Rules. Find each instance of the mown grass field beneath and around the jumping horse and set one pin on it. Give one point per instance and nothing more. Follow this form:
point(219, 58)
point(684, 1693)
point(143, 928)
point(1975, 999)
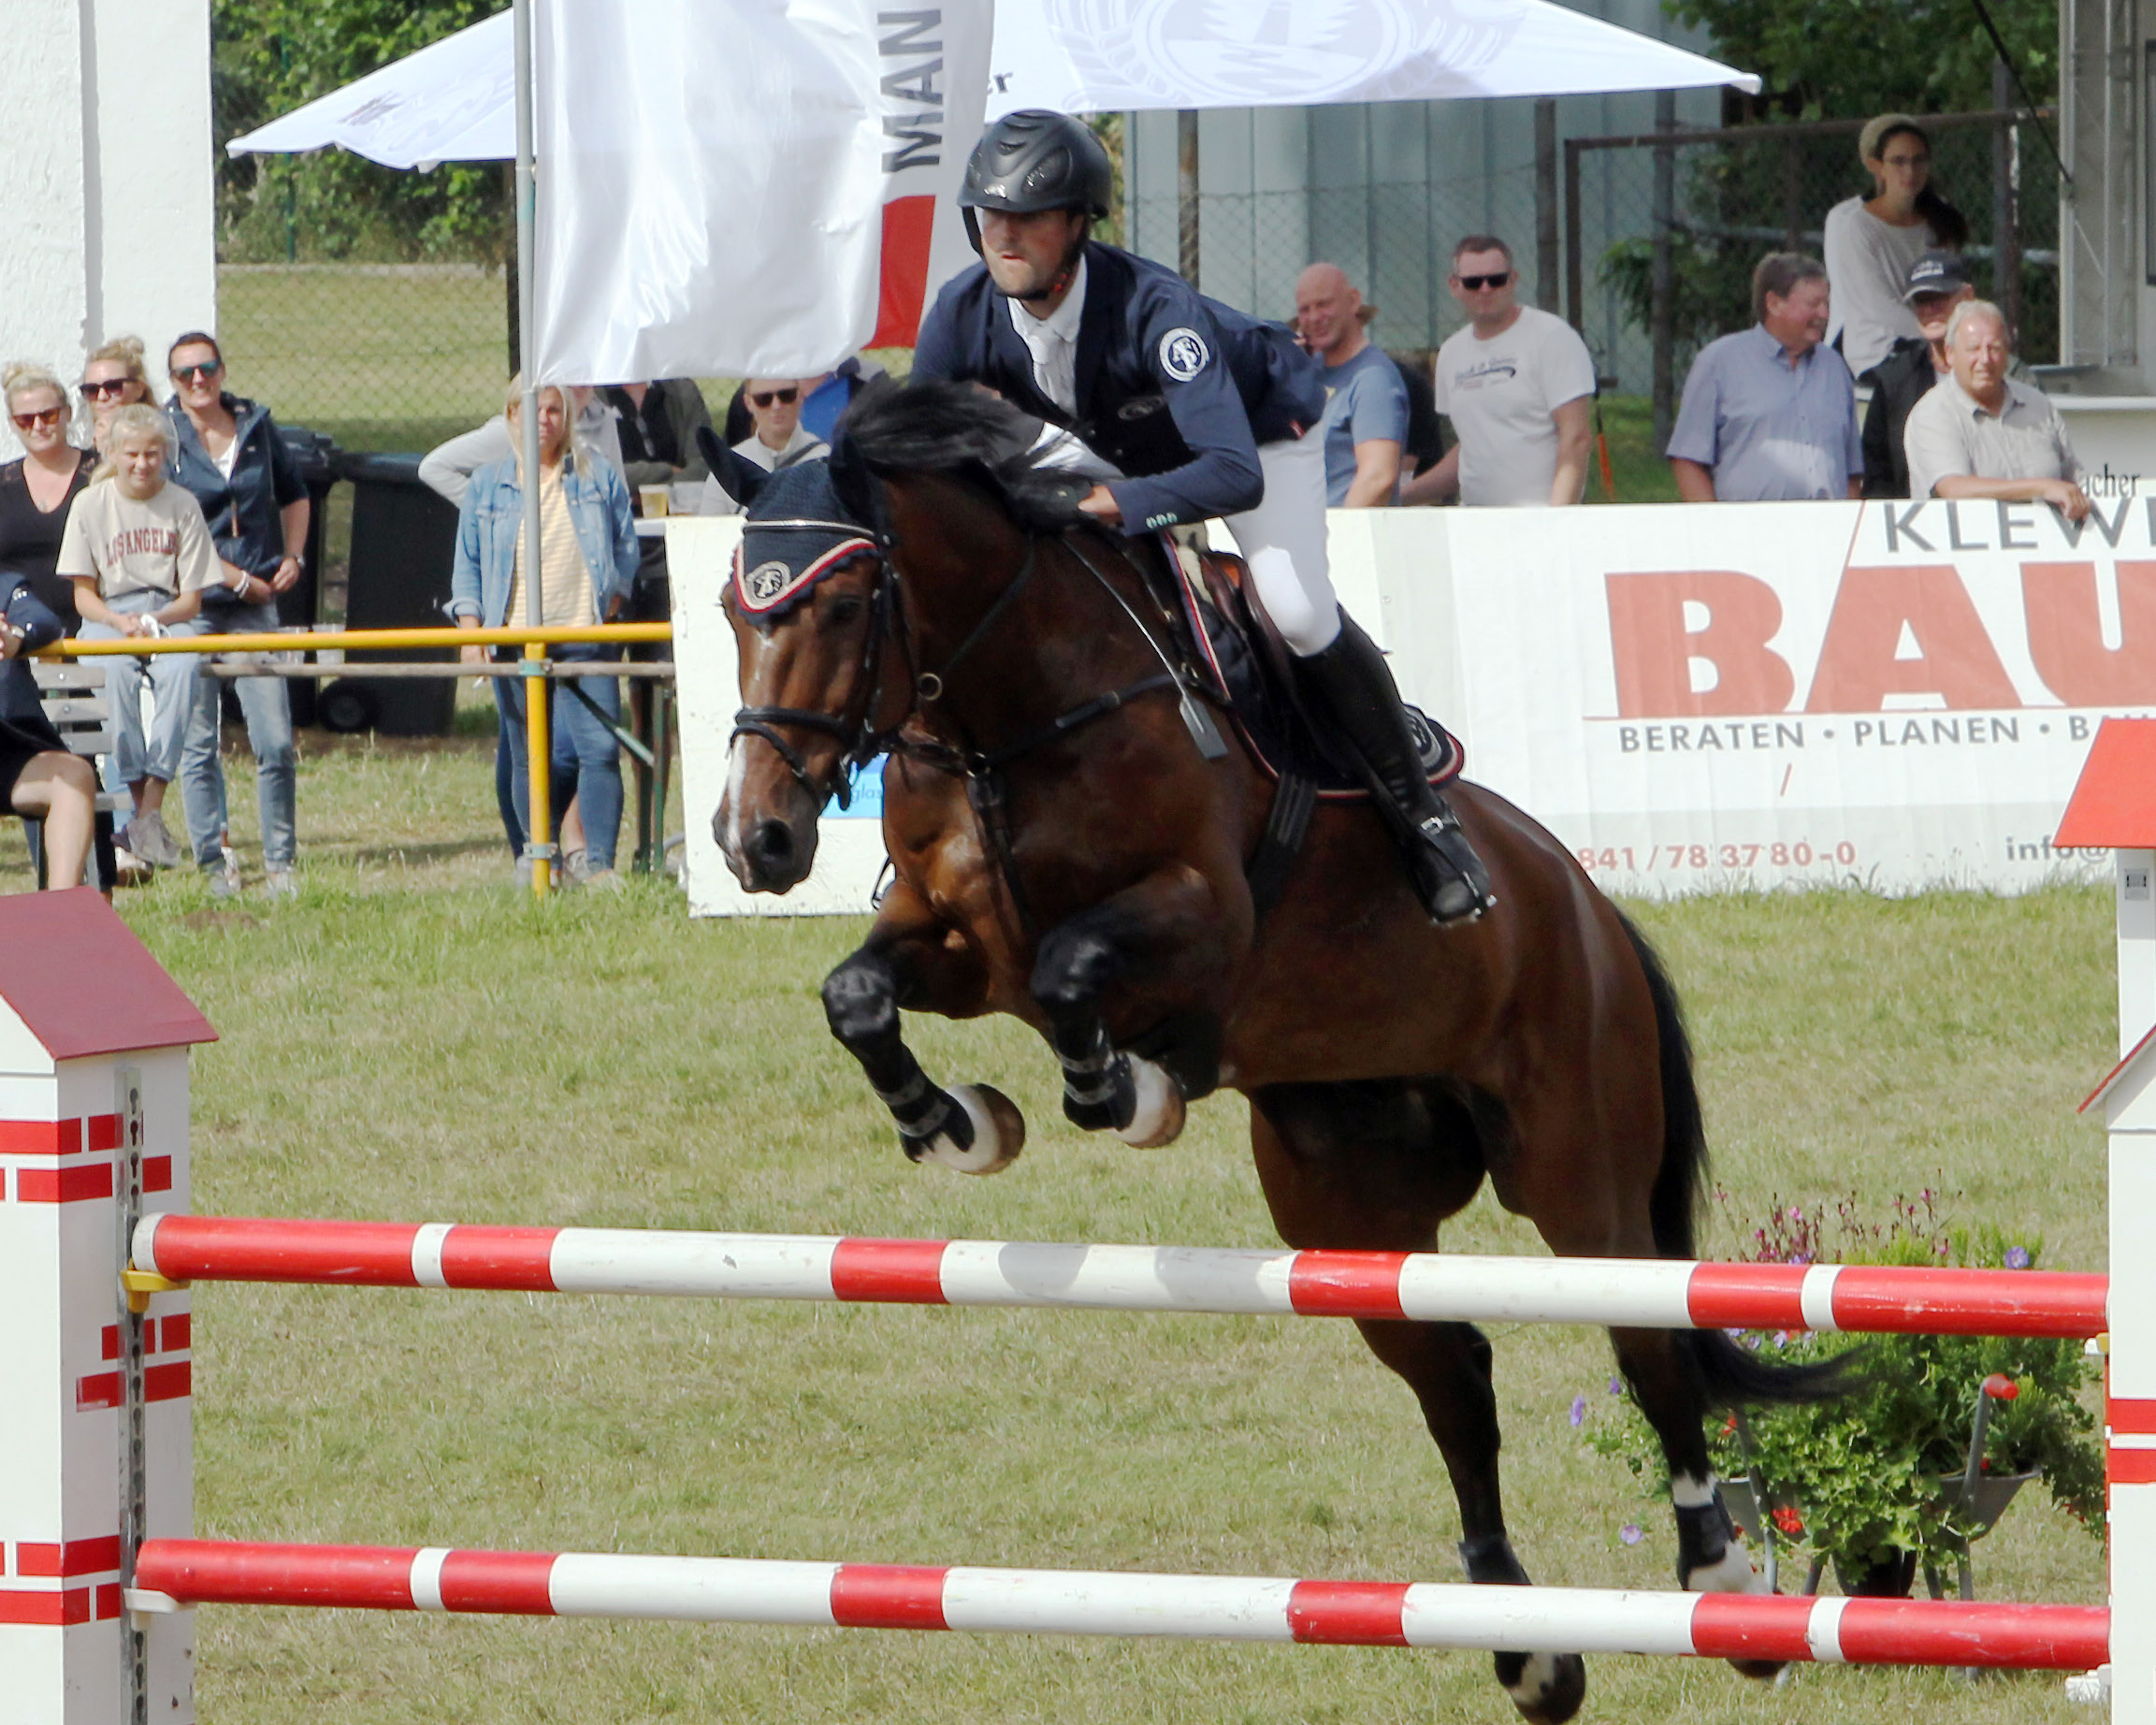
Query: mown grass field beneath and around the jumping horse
point(415, 1040)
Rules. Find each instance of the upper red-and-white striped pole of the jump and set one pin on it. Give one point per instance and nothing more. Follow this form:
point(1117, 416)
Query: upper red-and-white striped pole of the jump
point(999, 1273)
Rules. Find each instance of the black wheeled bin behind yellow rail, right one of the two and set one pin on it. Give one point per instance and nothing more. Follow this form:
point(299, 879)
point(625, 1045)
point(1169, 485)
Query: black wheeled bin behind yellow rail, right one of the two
point(402, 547)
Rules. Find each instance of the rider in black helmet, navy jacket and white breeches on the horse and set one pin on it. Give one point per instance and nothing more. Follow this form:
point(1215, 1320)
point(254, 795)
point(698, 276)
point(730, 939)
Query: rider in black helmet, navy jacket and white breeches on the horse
point(1202, 411)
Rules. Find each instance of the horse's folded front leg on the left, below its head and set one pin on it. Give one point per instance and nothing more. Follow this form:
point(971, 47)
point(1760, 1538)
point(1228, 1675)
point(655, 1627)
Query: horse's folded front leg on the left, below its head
point(913, 961)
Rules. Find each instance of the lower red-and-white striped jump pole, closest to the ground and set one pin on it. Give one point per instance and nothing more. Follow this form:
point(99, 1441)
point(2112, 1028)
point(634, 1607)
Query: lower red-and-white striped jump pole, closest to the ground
point(1338, 1614)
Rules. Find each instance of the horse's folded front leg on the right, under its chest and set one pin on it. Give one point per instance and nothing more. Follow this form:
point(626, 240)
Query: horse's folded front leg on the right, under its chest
point(1165, 935)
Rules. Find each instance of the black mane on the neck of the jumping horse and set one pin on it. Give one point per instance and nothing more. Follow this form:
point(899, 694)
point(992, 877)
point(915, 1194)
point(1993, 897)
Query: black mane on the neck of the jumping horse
point(958, 430)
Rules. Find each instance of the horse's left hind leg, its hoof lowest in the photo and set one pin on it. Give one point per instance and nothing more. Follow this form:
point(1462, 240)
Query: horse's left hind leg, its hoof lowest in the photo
point(1379, 1168)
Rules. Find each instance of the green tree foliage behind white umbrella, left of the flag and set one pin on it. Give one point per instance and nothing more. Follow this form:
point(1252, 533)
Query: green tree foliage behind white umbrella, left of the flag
point(277, 55)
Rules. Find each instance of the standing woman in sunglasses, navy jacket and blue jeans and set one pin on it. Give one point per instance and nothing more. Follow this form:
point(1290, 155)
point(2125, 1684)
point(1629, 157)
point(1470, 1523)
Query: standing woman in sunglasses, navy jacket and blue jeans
point(230, 454)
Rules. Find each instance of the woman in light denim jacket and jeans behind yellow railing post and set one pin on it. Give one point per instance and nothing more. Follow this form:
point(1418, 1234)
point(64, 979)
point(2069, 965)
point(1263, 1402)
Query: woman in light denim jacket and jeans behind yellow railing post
point(590, 564)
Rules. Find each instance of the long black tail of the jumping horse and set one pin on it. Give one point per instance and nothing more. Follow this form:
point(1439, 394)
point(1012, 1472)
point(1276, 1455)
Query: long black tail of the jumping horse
point(1730, 1375)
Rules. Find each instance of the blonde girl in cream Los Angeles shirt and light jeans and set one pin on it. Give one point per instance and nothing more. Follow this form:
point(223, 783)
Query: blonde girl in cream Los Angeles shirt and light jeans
point(139, 553)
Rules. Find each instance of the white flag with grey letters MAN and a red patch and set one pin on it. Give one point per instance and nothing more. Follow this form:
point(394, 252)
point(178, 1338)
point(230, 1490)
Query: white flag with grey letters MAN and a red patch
point(715, 178)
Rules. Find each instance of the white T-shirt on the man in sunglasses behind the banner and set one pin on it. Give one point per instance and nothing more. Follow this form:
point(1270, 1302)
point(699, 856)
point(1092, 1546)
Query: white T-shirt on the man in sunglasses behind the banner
point(1504, 400)
